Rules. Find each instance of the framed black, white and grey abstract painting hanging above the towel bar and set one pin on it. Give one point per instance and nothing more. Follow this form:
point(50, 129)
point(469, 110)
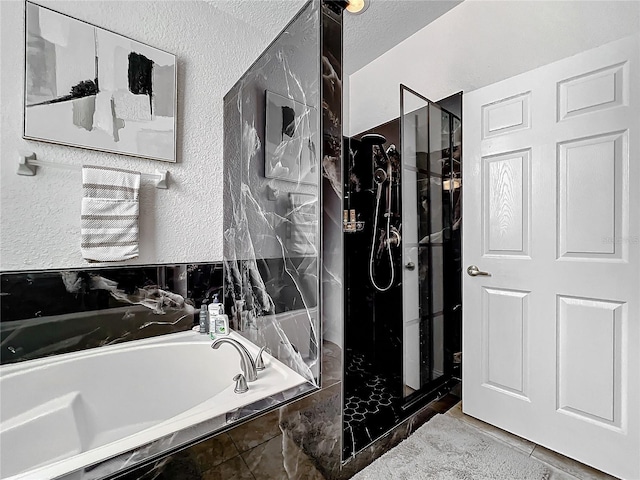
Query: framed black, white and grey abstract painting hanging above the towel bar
point(91, 88)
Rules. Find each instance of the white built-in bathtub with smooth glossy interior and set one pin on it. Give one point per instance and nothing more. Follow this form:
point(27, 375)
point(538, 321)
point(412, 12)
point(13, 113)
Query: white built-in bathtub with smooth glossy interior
point(63, 413)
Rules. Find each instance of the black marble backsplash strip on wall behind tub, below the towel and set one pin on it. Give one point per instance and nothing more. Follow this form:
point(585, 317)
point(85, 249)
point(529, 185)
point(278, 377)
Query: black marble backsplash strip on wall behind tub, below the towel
point(52, 312)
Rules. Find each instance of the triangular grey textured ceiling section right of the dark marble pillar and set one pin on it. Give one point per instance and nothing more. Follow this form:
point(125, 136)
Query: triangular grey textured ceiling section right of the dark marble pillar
point(385, 24)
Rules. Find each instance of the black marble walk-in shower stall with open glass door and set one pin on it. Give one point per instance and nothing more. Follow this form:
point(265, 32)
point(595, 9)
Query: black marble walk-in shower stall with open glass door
point(402, 255)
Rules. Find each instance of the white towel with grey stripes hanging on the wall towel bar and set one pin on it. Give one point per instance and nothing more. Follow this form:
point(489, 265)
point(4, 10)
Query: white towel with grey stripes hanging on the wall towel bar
point(109, 214)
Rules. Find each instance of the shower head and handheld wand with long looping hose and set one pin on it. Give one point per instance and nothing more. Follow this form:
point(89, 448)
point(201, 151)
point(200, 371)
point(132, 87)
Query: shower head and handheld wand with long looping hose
point(380, 177)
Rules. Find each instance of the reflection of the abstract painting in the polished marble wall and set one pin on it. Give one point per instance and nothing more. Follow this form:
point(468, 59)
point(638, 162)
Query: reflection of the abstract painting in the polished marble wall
point(291, 140)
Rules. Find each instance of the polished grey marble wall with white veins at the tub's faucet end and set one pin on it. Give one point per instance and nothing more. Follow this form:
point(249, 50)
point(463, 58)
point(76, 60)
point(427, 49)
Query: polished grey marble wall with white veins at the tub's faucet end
point(271, 193)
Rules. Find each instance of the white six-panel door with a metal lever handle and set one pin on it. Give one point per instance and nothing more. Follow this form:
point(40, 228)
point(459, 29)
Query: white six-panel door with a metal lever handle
point(551, 177)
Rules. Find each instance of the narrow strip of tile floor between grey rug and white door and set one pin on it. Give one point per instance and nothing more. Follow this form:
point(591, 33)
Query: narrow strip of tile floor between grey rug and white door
point(563, 468)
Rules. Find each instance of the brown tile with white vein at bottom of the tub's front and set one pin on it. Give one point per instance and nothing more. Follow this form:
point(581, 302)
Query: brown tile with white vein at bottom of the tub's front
point(280, 458)
